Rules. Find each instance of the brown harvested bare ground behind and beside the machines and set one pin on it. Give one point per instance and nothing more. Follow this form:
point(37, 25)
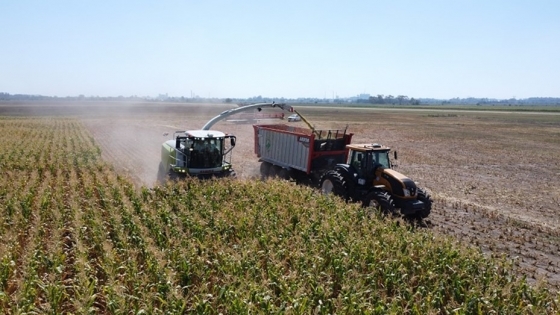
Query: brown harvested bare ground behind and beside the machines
point(494, 177)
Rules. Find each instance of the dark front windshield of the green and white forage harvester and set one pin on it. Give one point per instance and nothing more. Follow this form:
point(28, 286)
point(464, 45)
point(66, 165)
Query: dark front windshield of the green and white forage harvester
point(205, 152)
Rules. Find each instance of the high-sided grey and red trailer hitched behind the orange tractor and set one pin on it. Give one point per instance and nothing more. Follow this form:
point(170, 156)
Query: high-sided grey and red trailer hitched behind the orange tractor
point(299, 153)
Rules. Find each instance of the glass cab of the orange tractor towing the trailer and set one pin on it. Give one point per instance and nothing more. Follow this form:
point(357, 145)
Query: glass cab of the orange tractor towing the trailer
point(367, 159)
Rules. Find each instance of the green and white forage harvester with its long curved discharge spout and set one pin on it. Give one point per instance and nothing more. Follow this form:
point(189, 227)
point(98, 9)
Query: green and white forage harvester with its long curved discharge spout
point(203, 153)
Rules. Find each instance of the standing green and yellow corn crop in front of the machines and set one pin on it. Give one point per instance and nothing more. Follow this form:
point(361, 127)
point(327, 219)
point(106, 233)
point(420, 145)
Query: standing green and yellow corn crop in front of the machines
point(76, 237)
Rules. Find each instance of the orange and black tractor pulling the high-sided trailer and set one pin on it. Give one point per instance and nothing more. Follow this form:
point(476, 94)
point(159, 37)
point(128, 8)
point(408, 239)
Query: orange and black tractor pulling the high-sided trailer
point(368, 177)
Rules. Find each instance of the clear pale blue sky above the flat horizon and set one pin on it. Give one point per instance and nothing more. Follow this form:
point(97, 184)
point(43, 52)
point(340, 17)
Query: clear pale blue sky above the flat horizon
point(441, 49)
